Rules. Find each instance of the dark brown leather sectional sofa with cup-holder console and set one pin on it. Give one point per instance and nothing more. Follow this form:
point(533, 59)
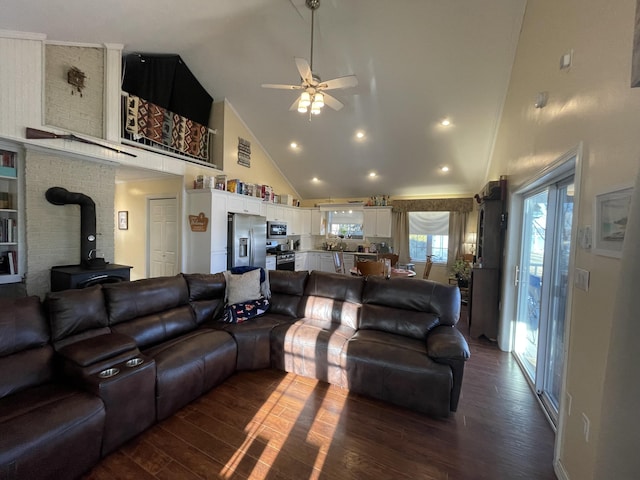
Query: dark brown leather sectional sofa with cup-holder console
point(86, 370)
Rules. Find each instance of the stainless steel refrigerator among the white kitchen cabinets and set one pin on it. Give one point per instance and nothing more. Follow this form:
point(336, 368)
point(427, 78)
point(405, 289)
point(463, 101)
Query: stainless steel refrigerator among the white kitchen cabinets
point(246, 240)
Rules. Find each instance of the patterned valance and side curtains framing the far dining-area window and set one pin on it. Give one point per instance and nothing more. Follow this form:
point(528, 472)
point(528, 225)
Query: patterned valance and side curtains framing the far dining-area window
point(459, 208)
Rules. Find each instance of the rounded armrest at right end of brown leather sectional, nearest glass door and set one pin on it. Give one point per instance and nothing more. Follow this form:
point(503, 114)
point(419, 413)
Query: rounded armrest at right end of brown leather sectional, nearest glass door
point(445, 344)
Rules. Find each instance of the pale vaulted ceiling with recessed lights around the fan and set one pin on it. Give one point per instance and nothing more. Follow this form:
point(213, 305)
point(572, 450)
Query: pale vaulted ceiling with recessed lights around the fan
point(417, 62)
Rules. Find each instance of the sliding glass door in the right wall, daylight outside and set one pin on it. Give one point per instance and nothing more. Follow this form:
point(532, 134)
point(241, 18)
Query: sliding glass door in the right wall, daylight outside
point(542, 288)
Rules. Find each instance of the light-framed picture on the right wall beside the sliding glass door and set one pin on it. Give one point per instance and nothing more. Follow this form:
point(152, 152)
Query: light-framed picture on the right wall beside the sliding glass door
point(611, 215)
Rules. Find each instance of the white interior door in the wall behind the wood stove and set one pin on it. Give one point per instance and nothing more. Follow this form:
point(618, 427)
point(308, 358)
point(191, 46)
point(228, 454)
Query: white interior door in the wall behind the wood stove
point(163, 237)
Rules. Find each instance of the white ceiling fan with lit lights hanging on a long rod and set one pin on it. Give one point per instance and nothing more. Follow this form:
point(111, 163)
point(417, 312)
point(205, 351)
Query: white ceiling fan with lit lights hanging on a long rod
point(313, 98)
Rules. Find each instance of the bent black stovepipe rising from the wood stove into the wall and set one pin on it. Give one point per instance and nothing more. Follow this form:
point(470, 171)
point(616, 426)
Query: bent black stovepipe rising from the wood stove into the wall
point(62, 196)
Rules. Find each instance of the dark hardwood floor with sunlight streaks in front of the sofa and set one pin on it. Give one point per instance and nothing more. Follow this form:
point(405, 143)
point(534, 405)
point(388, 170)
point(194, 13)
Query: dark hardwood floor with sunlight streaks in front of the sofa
point(273, 425)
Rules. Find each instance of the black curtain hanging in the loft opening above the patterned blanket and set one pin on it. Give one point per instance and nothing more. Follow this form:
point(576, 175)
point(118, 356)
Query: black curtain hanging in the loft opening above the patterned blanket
point(166, 81)
